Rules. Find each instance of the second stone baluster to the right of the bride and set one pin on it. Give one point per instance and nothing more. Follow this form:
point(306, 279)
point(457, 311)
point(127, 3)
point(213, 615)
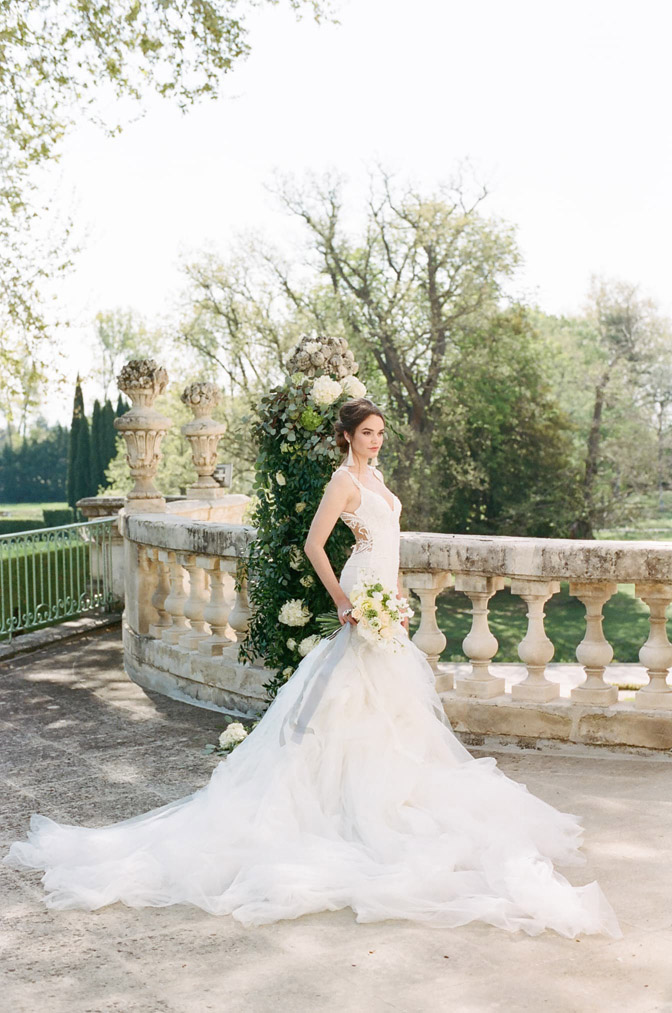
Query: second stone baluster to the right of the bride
point(480, 646)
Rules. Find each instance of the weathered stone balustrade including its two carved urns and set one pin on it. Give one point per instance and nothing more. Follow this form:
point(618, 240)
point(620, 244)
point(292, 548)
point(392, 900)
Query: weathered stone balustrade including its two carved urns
point(187, 607)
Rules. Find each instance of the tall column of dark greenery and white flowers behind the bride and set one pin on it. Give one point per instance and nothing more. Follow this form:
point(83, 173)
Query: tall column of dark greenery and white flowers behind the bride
point(297, 455)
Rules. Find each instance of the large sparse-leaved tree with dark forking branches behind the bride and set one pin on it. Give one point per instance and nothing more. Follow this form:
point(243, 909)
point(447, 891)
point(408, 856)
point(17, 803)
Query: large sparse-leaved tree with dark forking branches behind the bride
point(403, 289)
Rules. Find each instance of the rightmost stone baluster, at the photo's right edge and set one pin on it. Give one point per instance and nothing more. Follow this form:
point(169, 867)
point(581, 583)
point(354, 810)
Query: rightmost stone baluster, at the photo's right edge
point(656, 655)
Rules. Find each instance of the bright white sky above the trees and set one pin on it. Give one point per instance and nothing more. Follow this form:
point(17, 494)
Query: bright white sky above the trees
point(564, 110)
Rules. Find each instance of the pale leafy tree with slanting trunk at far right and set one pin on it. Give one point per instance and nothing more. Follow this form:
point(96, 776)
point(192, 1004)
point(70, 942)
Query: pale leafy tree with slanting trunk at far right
point(603, 367)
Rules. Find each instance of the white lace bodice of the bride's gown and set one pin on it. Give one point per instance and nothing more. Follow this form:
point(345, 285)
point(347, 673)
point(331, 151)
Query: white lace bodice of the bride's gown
point(377, 527)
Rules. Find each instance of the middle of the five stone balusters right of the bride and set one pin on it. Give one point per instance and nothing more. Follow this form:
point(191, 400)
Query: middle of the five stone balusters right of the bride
point(536, 650)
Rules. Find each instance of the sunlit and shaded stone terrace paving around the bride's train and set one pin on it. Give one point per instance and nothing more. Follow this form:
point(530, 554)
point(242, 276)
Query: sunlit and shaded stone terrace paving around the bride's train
point(82, 744)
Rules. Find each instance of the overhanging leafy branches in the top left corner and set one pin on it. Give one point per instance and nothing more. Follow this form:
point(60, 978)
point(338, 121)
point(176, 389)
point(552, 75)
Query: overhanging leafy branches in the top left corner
point(59, 60)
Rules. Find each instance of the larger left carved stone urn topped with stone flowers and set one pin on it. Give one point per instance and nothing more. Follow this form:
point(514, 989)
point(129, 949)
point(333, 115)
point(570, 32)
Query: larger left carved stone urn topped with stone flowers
point(143, 429)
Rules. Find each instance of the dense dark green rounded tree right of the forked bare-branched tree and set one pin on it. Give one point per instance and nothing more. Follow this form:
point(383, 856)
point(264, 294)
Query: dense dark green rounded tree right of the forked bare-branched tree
point(506, 461)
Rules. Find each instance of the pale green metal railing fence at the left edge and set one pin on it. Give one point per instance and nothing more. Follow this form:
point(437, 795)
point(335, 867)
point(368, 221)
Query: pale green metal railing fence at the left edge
point(55, 574)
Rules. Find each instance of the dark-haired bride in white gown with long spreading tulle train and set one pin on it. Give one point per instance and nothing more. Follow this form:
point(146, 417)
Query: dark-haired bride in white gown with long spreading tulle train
point(352, 792)
